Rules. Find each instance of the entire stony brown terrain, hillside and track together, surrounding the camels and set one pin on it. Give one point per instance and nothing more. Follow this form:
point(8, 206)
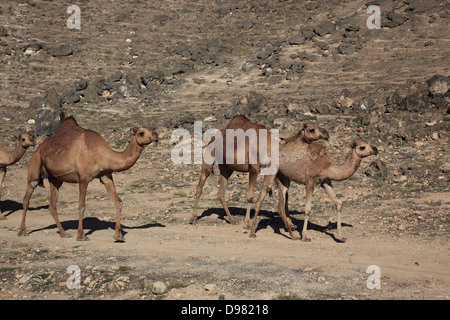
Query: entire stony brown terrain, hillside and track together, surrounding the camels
point(395, 219)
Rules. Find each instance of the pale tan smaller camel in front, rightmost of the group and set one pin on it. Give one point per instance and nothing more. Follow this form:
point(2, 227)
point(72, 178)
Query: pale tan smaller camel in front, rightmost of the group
point(314, 168)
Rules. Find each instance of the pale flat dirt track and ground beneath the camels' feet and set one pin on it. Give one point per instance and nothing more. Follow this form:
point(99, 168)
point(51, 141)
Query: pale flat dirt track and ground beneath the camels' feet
point(214, 259)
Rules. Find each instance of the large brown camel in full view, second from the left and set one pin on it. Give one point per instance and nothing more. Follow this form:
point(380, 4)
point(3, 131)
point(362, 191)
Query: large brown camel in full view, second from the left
point(77, 155)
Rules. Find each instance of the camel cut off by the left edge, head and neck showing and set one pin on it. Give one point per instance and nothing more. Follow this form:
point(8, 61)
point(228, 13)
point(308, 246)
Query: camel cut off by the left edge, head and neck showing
point(8, 158)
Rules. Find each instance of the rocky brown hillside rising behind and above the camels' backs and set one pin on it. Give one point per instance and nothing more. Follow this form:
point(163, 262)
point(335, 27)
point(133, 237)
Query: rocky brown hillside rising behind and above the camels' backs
point(168, 63)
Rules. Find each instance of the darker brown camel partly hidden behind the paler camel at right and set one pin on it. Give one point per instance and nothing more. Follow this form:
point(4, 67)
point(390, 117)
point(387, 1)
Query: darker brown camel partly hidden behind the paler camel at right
point(310, 132)
